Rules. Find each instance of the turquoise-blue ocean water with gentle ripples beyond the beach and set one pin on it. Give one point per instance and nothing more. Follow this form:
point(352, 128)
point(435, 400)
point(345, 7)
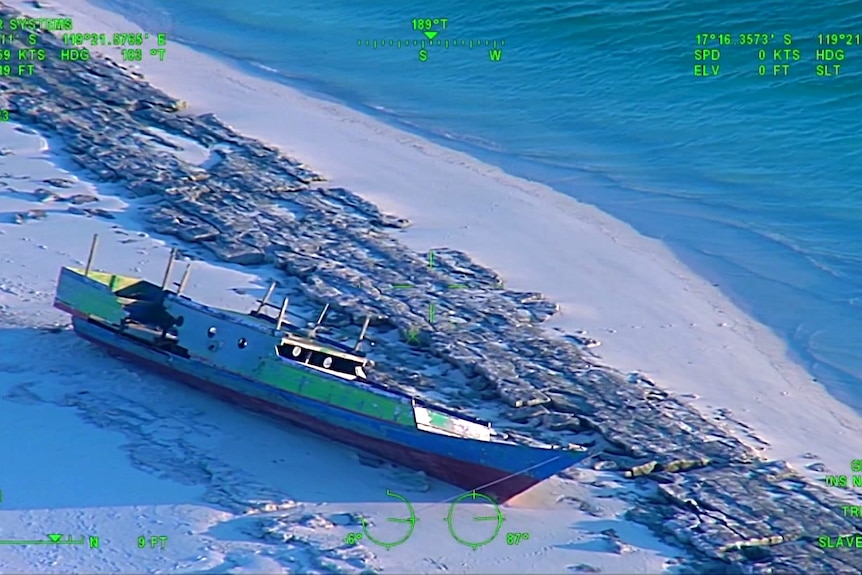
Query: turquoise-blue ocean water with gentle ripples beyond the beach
point(754, 180)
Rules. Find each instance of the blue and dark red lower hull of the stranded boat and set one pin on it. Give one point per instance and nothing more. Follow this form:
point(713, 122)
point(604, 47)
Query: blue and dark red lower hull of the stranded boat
point(434, 454)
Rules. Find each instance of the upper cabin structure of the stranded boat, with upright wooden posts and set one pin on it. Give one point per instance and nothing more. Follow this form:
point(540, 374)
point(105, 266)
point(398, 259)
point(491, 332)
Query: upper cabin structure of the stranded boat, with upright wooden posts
point(172, 323)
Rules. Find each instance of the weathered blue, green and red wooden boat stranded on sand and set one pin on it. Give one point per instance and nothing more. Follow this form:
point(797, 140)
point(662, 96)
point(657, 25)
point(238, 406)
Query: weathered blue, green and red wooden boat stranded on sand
point(260, 360)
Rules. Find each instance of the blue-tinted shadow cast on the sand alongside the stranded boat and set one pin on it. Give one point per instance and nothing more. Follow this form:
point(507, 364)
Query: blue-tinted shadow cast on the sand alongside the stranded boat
point(242, 461)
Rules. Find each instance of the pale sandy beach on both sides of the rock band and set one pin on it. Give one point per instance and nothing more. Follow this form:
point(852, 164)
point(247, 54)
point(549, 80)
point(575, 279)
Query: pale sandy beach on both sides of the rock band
point(651, 314)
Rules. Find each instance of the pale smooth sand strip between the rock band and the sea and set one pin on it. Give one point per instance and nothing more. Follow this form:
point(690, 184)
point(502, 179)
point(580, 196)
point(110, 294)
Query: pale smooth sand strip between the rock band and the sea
point(634, 326)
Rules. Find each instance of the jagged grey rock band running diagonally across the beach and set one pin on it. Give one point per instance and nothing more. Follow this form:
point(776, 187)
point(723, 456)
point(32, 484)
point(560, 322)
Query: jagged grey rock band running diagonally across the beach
point(714, 495)
